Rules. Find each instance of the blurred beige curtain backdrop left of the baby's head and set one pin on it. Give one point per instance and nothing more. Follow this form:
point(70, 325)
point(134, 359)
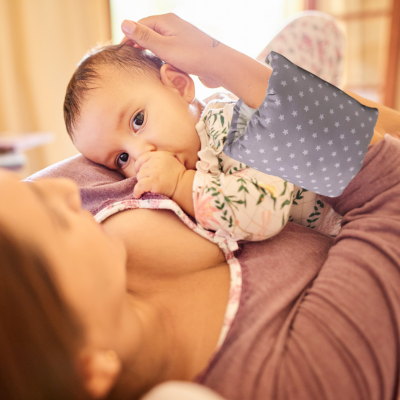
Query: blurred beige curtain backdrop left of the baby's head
point(41, 41)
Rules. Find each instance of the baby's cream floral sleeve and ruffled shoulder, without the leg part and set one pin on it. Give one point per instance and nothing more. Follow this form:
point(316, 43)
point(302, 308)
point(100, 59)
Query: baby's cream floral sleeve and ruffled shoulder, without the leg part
point(229, 197)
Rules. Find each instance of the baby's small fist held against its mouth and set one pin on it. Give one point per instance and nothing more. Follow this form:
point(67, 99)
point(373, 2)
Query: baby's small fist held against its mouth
point(157, 172)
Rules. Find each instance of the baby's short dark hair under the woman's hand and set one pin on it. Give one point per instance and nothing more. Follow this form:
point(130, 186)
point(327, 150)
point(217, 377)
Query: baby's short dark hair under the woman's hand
point(124, 57)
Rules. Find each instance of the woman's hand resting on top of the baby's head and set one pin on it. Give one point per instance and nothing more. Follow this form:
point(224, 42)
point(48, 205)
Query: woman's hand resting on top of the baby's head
point(177, 42)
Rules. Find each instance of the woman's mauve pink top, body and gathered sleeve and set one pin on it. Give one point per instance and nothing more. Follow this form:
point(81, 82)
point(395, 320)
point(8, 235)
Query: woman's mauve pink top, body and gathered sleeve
point(319, 318)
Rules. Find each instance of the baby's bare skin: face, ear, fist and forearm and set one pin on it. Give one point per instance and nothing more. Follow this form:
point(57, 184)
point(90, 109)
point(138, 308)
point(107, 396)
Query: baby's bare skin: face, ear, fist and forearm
point(144, 127)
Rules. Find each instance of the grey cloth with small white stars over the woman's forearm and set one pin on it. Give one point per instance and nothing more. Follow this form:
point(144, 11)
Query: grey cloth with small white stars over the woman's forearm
point(306, 131)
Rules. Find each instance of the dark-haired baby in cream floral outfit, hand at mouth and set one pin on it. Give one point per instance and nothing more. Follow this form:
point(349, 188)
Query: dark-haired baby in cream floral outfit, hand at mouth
point(127, 110)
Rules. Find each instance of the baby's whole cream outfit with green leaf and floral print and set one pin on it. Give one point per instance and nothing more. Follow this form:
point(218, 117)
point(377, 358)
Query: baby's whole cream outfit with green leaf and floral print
point(235, 200)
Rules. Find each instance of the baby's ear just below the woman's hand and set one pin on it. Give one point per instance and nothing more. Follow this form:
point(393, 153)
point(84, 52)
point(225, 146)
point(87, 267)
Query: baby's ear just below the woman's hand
point(178, 81)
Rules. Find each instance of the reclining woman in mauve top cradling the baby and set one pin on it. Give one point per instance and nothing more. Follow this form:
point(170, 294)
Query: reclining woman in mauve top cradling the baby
point(318, 318)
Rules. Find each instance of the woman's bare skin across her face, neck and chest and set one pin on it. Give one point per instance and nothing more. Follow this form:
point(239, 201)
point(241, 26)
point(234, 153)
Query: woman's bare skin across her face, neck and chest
point(124, 294)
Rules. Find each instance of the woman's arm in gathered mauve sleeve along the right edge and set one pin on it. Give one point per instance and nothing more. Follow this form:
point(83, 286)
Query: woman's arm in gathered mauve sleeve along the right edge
point(344, 340)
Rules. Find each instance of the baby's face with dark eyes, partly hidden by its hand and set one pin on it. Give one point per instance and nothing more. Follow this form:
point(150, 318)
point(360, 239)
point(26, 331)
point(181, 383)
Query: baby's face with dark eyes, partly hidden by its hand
point(127, 116)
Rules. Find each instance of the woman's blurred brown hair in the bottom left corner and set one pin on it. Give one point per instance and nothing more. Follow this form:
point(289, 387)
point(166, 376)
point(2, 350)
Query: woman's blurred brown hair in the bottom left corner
point(39, 335)
